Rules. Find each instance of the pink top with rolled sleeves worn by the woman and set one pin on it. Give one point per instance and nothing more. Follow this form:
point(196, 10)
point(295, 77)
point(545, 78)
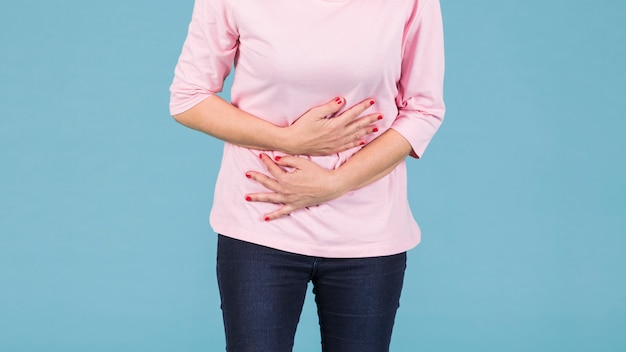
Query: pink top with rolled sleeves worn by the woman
point(292, 55)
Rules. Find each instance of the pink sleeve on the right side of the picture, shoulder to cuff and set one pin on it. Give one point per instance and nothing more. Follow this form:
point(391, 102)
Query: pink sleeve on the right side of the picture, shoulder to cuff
point(420, 90)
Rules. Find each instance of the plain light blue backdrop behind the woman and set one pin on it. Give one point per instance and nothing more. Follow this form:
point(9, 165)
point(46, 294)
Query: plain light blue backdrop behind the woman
point(104, 238)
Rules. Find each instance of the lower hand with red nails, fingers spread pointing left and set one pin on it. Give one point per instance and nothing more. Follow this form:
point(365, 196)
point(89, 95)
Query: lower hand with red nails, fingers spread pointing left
point(305, 184)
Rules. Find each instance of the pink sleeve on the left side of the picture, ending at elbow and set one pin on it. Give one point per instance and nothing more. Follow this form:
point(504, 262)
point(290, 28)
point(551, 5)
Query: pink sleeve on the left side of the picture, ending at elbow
point(207, 55)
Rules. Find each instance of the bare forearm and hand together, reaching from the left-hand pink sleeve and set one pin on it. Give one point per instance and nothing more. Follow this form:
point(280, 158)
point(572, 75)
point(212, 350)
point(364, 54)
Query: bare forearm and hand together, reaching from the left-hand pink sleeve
point(312, 134)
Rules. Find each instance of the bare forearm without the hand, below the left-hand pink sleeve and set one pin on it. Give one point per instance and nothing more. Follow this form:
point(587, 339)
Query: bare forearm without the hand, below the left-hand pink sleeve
point(218, 118)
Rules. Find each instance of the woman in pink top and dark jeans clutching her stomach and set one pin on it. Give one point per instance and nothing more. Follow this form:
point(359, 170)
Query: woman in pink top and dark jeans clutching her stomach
point(312, 188)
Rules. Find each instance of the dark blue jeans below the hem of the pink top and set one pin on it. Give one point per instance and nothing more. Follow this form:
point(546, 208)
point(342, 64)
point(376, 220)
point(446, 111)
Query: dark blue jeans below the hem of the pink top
point(263, 289)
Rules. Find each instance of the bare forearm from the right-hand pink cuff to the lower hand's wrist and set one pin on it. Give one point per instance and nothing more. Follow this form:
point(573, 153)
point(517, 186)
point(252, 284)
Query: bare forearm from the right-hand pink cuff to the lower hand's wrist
point(373, 162)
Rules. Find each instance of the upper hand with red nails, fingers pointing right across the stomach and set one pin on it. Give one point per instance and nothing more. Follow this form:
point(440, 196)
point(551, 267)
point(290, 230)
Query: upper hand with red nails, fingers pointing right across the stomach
point(316, 133)
